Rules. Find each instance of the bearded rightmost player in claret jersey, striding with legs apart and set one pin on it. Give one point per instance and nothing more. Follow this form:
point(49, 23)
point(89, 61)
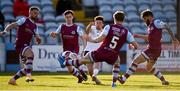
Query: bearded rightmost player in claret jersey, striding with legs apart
point(153, 50)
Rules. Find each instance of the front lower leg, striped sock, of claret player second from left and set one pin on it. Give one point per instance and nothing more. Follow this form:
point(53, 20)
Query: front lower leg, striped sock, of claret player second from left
point(72, 70)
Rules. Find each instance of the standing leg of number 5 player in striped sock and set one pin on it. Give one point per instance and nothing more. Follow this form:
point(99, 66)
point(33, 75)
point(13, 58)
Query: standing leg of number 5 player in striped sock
point(115, 72)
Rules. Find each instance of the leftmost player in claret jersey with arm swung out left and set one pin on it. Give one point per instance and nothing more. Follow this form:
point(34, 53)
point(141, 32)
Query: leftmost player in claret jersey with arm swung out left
point(26, 30)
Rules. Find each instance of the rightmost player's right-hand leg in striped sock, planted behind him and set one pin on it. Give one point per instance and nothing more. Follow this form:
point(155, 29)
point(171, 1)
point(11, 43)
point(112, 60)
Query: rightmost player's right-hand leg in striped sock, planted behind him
point(150, 68)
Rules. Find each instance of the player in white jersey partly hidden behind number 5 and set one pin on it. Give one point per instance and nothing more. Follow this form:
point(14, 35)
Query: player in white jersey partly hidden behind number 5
point(93, 30)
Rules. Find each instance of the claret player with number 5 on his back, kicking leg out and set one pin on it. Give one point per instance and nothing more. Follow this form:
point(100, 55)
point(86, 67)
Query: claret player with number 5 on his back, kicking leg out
point(112, 38)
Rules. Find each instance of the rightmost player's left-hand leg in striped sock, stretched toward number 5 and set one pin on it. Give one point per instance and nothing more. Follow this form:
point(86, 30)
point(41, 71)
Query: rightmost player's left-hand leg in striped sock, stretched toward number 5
point(139, 59)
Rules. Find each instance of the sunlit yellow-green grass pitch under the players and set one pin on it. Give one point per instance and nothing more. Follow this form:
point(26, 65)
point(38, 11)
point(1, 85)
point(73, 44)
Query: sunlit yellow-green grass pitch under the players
point(65, 82)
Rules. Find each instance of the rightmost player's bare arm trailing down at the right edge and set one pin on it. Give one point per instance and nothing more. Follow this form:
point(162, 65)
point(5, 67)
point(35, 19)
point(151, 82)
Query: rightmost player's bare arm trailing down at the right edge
point(174, 40)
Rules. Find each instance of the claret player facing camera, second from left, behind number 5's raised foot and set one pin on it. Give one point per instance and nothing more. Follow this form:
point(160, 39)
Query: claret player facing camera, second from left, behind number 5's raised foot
point(70, 34)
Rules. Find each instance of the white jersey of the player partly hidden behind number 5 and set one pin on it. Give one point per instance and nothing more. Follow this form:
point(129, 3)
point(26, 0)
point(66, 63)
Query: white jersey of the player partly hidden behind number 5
point(93, 34)
